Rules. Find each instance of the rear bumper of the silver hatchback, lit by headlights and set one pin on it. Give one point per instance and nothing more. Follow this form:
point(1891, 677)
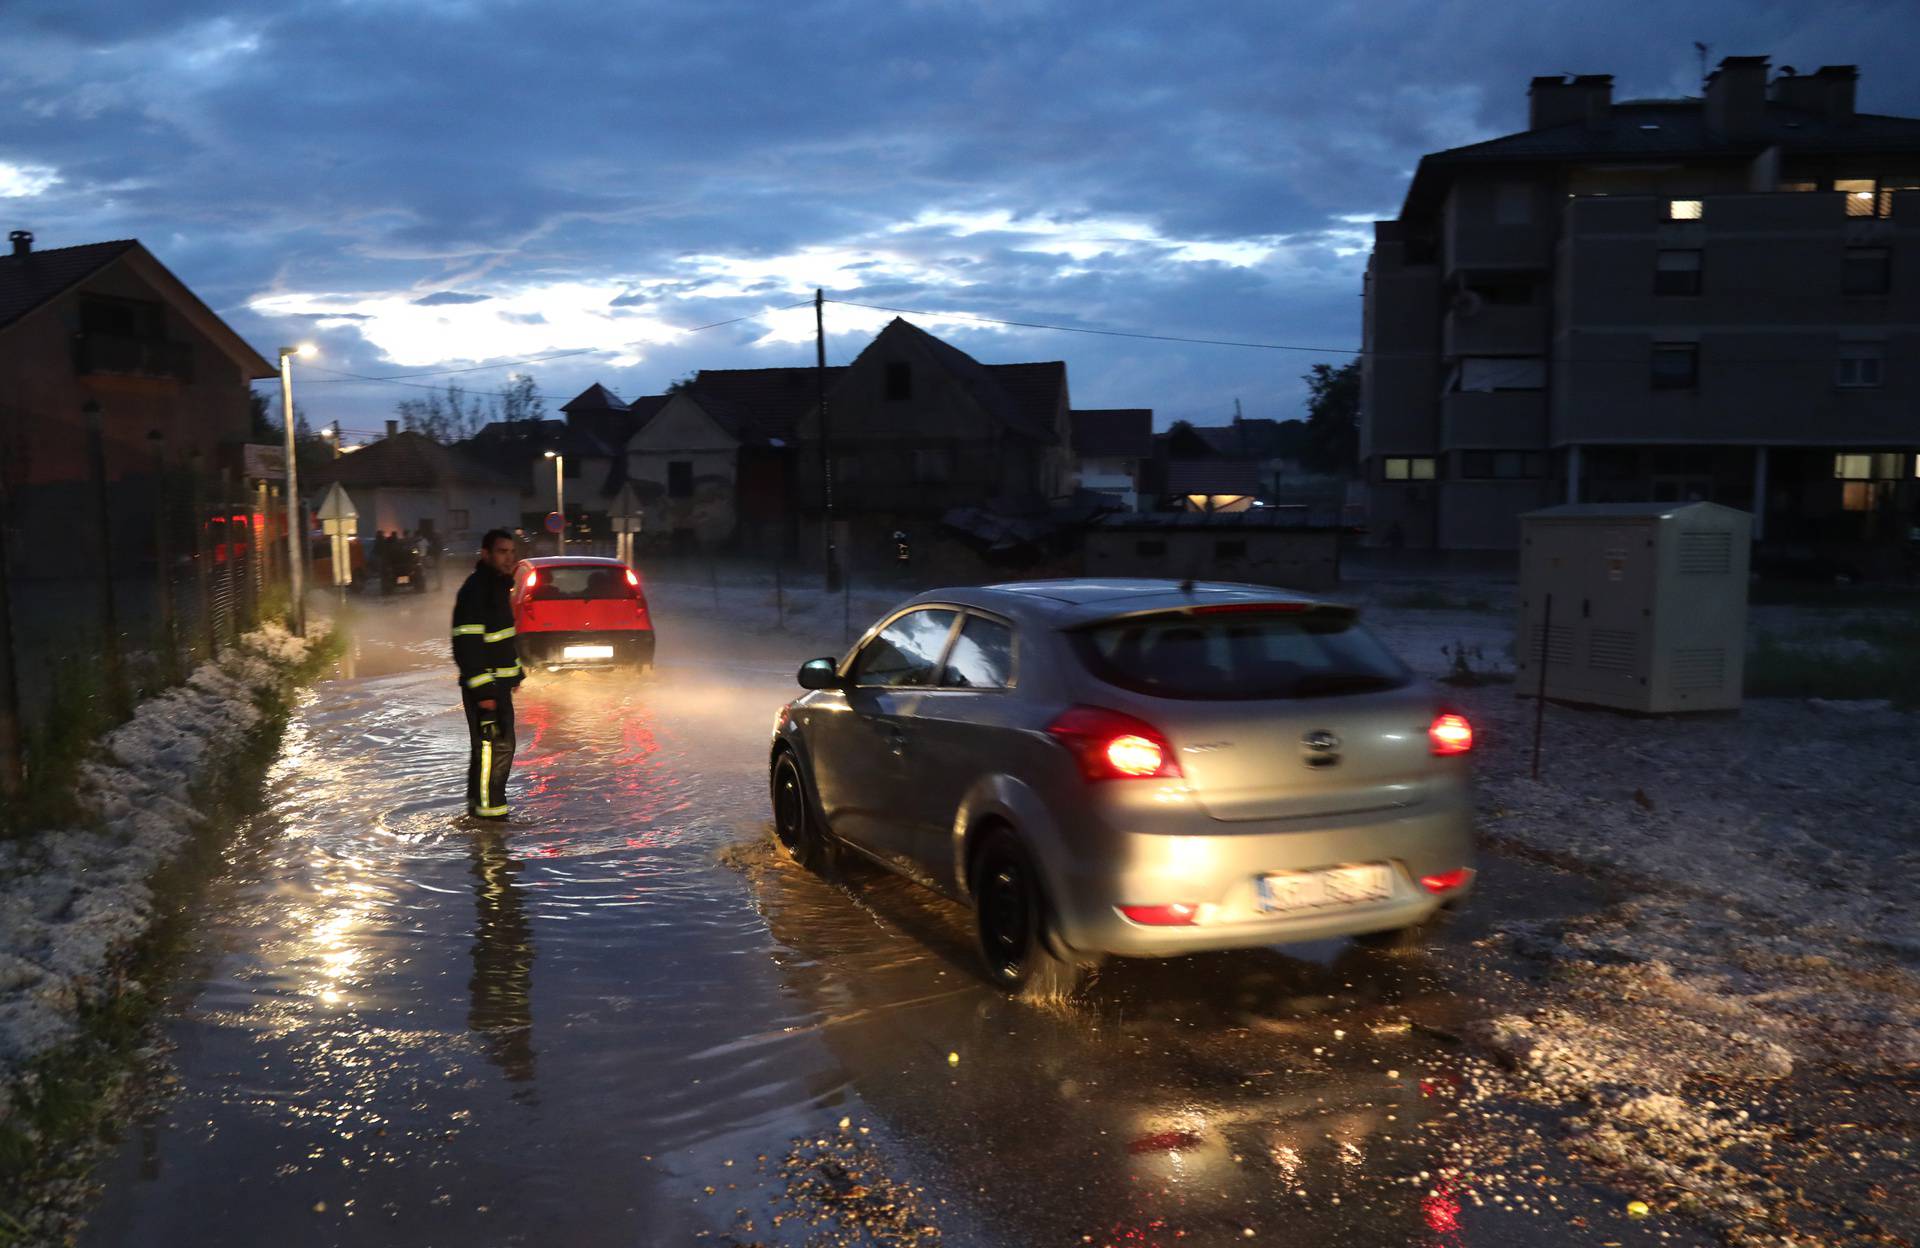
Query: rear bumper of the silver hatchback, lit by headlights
point(1220, 871)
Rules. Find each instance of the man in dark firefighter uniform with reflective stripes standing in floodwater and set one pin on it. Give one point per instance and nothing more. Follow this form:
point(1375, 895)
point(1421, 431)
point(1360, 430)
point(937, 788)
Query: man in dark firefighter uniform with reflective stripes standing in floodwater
point(491, 669)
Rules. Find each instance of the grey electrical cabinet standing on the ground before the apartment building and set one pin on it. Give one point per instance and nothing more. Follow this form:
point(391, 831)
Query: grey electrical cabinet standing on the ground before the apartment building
point(1648, 606)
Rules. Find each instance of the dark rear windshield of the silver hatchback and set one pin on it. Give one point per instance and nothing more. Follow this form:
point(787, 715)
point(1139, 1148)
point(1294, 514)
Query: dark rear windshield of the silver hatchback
point(1239, 658)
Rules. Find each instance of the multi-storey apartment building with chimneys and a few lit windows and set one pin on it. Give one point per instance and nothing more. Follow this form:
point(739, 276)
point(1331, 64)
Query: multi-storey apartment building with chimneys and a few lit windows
point(1650, 300)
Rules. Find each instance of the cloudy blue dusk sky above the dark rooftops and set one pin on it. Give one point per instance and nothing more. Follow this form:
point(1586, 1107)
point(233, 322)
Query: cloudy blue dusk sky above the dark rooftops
point(427, 185)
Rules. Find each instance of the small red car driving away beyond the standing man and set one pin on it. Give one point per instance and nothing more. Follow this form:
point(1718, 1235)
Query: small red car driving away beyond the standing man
point(581, 613)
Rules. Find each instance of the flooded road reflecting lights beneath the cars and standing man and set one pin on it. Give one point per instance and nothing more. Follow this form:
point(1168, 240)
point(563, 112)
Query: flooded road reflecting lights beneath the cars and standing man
point(625, 1022)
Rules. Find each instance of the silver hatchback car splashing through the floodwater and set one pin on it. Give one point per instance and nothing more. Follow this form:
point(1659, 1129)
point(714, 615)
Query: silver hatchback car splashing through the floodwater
point(1132, 767)
